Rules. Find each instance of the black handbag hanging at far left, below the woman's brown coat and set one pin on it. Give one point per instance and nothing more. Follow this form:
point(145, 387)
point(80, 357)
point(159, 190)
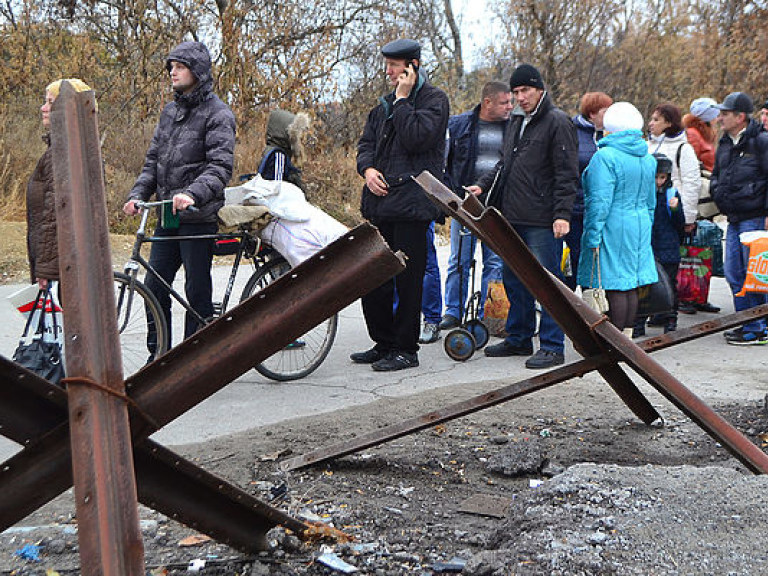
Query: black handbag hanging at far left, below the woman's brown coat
point(39, 356)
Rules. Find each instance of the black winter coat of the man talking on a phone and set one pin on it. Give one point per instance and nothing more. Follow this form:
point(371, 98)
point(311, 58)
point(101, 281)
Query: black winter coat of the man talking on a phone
point(401, 140)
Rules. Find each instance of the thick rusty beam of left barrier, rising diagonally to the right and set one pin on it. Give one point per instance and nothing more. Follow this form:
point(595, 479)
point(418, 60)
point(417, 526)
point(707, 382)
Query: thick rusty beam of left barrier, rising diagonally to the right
point(250, 333)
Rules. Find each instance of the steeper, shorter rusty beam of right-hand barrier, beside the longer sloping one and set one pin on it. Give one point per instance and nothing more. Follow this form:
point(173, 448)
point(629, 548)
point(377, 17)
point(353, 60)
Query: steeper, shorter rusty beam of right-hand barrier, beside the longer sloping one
point(493, 229)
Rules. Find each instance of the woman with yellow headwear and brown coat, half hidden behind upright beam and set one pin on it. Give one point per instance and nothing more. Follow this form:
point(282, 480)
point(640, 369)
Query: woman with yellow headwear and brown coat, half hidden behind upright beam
point(42, 244)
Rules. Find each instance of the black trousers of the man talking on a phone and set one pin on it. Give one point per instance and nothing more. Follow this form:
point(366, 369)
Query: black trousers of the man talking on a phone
point(398, 329)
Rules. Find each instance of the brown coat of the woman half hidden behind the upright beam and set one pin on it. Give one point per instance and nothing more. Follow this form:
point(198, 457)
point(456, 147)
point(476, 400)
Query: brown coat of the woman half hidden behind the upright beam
point(42, 243)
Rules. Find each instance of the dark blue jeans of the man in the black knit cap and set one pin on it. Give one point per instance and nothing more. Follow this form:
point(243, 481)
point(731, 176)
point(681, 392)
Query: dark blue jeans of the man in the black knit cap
point(521, 320)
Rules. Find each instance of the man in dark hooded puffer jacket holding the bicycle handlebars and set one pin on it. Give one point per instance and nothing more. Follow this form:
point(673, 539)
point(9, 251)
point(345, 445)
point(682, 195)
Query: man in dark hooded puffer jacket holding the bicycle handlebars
point(189, 162)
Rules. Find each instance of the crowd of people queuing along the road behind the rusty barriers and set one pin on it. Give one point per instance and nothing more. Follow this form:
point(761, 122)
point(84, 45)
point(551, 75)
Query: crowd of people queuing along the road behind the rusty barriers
point(619, 198)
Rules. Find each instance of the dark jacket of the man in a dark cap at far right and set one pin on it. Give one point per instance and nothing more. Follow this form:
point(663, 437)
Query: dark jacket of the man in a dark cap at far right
point(740, 177)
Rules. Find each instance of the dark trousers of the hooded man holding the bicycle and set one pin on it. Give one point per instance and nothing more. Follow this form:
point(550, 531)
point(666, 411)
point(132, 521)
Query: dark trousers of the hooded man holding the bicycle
point(196, 256)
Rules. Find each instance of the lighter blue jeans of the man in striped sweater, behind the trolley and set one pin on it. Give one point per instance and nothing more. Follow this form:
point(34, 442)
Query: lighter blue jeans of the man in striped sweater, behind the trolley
point(457, 283)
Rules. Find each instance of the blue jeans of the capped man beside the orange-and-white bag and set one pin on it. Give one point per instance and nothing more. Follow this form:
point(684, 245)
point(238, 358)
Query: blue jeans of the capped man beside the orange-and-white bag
point(736, 260)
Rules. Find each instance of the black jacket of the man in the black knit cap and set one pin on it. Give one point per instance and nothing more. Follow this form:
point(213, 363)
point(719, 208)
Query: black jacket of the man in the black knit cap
point(535, 182)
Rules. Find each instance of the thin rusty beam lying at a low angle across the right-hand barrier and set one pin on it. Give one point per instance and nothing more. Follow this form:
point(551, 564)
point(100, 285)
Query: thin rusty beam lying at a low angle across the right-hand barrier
point(506, 393)
